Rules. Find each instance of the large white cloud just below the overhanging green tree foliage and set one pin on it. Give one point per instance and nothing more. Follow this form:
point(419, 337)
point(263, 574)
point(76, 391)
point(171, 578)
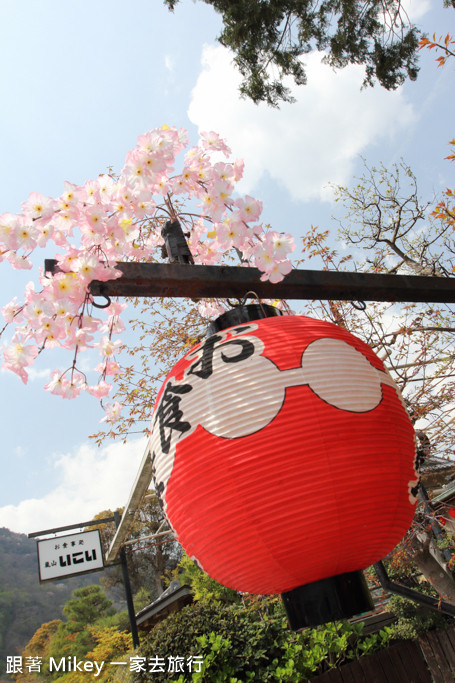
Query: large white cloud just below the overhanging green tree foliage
point(304, 145)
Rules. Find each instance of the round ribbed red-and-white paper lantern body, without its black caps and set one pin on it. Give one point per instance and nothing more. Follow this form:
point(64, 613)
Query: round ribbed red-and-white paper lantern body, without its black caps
point(283, 454)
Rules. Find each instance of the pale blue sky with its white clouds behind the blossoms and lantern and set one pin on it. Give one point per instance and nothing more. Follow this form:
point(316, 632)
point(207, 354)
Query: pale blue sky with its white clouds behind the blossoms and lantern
point(79, 82)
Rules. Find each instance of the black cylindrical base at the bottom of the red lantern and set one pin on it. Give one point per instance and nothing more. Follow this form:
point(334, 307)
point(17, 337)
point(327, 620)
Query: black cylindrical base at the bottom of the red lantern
point(338, 597)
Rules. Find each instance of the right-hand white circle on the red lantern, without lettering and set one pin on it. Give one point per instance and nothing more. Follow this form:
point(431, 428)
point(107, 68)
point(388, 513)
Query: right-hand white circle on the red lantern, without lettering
point(342, 376)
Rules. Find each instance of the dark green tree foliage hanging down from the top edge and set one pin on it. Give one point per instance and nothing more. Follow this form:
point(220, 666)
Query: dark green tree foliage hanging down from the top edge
point(268, 39)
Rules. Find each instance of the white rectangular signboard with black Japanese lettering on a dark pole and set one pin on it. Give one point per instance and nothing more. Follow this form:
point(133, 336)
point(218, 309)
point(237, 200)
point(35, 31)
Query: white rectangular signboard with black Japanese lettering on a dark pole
point(69, 555)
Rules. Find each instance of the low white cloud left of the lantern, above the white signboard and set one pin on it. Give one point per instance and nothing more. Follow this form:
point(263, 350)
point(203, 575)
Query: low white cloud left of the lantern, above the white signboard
point(91, 480)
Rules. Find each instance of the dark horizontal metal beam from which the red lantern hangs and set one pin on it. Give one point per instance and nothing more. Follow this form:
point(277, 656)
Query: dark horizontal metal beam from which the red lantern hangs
point(195, 281)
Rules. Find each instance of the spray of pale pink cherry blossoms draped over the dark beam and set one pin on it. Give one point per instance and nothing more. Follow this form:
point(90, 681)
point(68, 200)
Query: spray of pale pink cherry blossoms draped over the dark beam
point(112, 219)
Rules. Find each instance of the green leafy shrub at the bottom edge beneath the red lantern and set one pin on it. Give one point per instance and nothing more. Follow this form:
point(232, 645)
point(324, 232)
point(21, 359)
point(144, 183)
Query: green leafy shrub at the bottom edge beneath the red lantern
point(250, 641)
